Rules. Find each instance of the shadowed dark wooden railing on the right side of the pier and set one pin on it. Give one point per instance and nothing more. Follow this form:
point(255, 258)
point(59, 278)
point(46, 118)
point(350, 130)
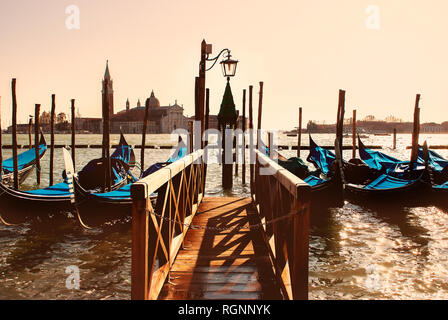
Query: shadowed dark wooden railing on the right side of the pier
point(283, 204)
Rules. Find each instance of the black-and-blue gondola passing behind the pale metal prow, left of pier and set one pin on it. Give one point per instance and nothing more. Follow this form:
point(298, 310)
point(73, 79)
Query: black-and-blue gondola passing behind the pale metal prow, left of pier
point(17, 204)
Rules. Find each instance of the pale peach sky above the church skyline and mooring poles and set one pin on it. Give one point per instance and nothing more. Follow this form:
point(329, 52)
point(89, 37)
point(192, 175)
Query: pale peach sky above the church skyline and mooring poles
point(382, 52)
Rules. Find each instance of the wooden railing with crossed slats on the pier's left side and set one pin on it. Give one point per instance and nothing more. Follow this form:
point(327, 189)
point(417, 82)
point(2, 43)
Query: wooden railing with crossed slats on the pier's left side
point(160, 221)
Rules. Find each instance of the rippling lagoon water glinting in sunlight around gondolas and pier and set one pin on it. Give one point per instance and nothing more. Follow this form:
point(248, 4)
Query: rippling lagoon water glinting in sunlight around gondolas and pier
point(355, 252)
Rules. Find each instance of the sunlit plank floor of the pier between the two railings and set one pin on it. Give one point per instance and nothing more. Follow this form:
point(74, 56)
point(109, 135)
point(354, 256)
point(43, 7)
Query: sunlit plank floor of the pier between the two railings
point(226, 260)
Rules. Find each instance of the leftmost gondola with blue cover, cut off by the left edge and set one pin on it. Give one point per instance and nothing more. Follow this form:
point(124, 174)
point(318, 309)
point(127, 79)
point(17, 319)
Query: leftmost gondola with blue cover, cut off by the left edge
point(25, 163)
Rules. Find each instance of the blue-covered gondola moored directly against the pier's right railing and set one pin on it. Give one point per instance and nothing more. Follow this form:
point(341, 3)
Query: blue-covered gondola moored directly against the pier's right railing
point(326, 183)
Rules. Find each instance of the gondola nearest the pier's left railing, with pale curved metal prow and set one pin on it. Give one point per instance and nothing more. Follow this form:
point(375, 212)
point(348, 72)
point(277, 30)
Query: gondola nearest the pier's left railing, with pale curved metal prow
point(116, 203)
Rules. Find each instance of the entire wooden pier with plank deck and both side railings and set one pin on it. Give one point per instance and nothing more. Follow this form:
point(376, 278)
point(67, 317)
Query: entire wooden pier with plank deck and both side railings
point(187, 246)
